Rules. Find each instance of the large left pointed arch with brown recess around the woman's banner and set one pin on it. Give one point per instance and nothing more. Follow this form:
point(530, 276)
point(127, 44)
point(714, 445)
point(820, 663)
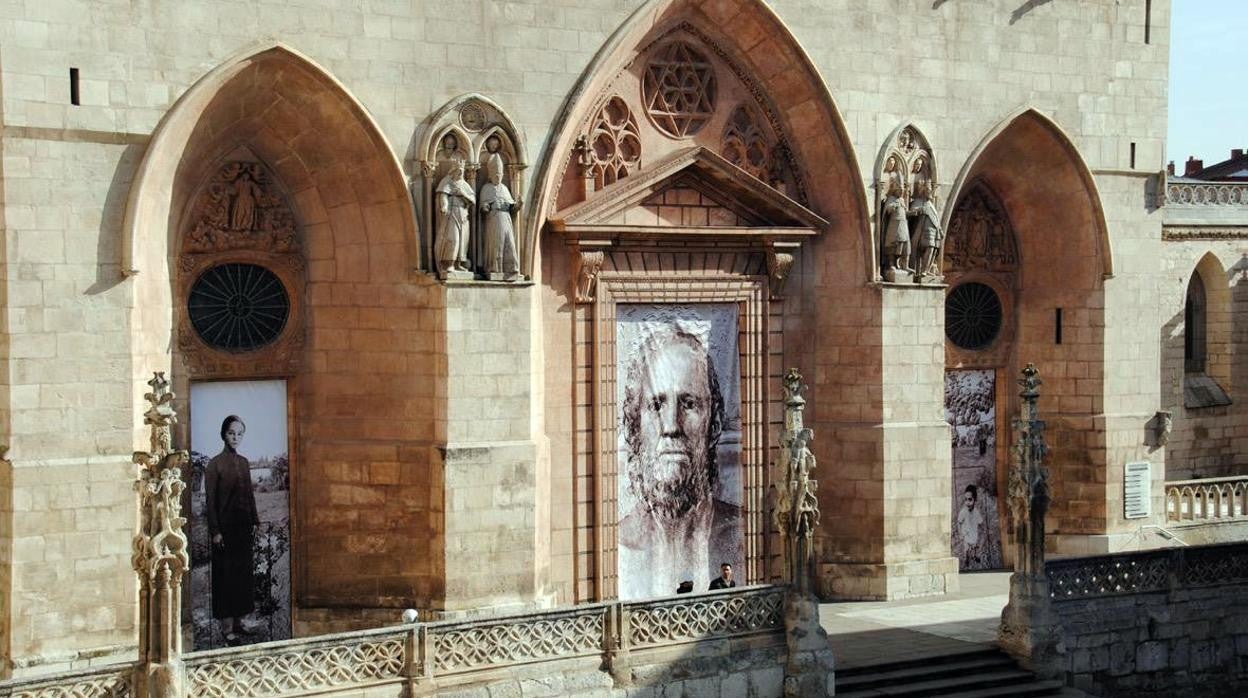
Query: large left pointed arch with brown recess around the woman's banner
point(356, 229)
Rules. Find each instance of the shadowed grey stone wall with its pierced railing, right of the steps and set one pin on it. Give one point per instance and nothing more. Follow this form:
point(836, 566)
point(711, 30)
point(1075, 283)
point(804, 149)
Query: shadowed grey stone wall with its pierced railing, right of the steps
point(1154, 625)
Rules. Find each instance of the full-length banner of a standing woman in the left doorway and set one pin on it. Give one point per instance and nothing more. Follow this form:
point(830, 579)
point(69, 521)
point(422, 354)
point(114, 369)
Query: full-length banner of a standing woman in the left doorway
point(240, 514)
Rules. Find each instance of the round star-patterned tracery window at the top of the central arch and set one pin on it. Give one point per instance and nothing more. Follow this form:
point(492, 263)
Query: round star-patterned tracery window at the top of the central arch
point(680, 89)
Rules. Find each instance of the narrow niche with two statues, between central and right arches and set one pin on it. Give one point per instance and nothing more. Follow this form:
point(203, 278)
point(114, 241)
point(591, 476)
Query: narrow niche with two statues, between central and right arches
point(909, 235)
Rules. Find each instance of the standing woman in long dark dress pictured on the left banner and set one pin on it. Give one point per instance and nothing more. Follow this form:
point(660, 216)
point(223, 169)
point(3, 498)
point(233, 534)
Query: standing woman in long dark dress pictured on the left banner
point(233, 520)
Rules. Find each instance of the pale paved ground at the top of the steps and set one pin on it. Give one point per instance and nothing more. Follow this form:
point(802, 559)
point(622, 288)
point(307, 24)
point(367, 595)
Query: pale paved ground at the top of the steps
point(865, 634)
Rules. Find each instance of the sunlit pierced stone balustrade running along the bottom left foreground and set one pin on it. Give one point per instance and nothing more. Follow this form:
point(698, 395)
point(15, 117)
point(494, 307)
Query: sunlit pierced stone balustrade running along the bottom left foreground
point(386, 660)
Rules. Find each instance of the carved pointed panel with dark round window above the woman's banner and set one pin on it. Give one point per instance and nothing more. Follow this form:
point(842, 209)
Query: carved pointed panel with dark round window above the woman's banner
point(240, 277)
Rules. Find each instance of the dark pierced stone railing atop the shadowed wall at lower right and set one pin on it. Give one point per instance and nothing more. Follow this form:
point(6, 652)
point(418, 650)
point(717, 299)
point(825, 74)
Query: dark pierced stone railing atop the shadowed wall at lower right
point(1148, 573)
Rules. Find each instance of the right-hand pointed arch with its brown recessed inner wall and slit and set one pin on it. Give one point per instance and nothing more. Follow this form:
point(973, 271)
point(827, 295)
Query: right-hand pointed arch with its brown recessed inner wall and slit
point(1059, 300)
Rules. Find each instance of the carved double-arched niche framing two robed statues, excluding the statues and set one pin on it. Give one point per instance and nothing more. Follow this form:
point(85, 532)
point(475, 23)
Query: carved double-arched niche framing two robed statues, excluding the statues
point(470, 129)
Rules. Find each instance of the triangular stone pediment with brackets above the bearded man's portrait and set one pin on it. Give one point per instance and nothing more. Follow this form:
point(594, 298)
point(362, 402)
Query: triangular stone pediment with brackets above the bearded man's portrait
point(695, 199)
